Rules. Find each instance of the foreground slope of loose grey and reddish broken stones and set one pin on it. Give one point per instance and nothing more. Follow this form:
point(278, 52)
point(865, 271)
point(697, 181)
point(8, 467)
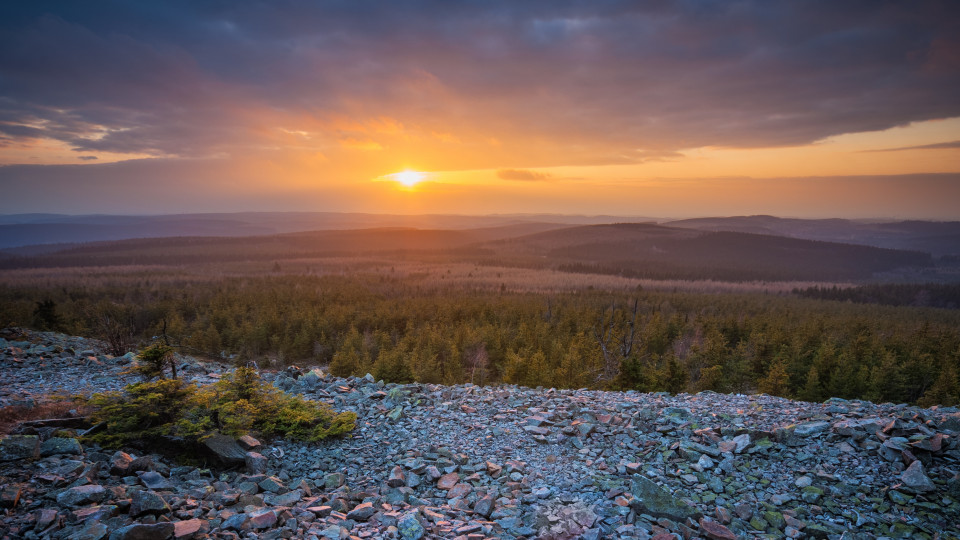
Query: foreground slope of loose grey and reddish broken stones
point(471, 462)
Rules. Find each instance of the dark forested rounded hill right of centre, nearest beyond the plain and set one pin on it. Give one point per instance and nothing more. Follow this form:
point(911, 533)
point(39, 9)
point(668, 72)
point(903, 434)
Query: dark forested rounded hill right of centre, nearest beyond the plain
point(660, 252)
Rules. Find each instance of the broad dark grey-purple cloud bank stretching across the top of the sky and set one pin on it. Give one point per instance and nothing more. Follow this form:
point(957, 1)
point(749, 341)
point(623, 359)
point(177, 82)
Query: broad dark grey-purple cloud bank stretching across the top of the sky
point(597, 82)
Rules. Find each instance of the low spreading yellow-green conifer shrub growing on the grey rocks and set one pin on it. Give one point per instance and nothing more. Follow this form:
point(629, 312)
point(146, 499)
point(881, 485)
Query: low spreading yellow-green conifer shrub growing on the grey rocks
point(240, 403)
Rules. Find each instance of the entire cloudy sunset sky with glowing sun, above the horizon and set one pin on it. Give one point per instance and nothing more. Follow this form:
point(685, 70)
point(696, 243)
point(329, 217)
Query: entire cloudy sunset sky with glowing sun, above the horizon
point(661, 109)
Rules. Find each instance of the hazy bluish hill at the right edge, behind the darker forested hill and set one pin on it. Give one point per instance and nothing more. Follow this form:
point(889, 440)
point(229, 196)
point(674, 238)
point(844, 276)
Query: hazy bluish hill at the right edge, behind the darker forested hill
point(936, 238)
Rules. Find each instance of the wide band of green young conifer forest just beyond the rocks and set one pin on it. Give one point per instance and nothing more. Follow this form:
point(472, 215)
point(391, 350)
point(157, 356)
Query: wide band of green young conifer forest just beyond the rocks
point(646, 340)
